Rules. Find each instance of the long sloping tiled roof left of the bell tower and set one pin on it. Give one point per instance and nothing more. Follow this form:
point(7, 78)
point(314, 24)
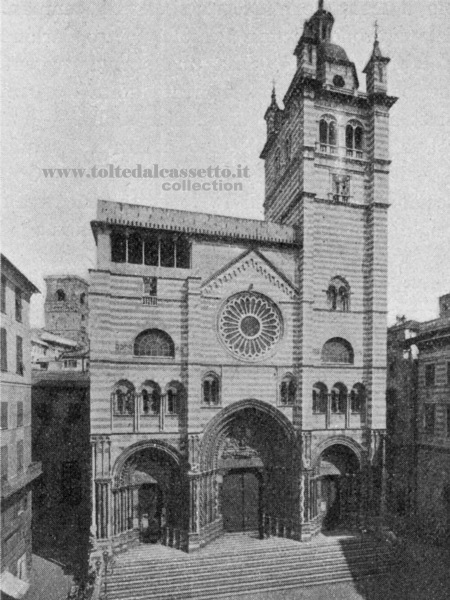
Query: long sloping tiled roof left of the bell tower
point(152, 217)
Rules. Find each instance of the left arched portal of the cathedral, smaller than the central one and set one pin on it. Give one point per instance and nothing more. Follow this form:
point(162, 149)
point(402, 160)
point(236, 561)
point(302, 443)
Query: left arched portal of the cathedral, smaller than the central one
point(150, 492)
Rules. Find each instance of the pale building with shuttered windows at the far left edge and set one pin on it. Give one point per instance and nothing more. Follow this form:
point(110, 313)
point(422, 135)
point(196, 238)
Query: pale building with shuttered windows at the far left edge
point(18, 470)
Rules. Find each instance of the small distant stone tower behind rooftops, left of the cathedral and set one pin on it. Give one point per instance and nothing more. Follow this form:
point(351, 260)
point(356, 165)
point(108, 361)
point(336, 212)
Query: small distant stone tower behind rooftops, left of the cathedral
point(66, 306)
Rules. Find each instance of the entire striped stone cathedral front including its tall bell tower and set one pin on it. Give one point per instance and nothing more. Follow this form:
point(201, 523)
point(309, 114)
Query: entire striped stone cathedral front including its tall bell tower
point(238, 367)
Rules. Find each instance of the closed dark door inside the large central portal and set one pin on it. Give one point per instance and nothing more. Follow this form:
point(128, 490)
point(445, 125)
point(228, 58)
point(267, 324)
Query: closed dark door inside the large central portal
point(241, 500)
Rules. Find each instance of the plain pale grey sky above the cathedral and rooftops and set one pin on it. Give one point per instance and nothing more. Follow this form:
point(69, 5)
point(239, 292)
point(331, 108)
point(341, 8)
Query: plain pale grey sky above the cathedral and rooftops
point(185, 83)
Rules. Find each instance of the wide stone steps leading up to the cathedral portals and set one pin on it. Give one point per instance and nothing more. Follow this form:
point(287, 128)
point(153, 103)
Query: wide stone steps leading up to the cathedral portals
point(238, 564)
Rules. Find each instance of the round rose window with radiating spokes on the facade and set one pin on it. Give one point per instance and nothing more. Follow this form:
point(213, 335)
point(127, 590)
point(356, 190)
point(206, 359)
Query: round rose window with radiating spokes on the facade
point(250, 325)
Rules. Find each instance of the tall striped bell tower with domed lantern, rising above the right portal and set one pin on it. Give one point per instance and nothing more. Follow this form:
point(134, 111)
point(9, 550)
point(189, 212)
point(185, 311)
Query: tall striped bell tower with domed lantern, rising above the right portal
point(326, 173)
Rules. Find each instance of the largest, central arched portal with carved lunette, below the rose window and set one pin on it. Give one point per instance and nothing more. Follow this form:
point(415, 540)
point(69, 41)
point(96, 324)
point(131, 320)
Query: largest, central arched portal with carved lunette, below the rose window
point(249, 454)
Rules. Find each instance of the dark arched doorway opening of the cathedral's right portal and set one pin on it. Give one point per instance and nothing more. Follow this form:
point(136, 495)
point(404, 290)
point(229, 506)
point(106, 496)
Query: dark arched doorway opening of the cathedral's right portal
point(339, 486)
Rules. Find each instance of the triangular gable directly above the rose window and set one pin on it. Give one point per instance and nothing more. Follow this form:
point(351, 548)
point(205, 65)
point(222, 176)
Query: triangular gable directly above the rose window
point(250, 269)
